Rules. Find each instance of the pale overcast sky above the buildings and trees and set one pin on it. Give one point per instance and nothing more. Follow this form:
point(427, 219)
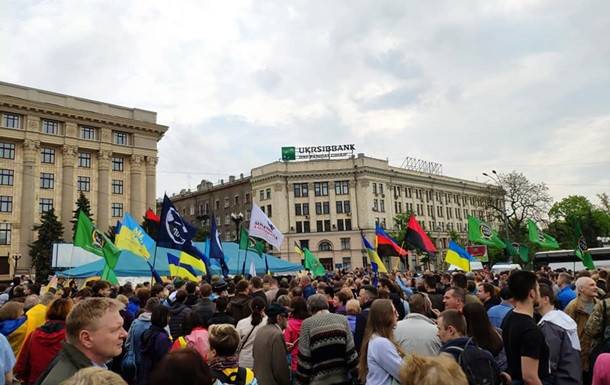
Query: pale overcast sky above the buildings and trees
point(474, 85)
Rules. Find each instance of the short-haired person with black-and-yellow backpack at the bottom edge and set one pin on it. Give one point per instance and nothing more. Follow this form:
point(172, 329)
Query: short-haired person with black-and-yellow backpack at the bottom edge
point(224, 340)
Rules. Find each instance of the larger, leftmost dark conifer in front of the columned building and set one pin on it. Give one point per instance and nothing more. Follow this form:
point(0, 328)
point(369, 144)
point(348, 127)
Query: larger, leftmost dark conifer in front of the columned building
point(50, 231)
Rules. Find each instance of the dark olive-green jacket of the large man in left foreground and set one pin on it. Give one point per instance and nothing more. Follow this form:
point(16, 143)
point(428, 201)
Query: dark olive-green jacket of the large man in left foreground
point(69, 361)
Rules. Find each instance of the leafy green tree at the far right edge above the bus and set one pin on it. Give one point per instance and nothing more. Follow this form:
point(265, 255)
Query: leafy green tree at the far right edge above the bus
point(594, 221)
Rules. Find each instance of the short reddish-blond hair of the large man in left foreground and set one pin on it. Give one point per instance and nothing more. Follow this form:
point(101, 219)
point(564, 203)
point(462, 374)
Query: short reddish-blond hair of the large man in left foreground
point(86, 315)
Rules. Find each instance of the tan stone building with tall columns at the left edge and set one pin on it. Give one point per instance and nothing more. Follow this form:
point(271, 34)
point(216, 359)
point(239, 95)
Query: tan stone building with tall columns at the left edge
point(54, 146)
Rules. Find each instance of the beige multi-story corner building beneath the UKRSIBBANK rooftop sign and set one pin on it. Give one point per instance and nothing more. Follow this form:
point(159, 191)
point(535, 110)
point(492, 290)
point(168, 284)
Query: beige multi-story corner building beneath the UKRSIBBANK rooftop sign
point(326, 205)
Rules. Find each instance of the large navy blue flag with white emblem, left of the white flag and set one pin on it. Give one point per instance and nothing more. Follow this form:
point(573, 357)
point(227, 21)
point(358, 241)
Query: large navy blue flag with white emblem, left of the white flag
point(175, 233)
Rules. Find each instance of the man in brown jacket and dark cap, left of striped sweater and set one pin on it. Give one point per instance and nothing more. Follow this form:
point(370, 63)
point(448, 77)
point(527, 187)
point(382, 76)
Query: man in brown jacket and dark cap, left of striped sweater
point(269, 351)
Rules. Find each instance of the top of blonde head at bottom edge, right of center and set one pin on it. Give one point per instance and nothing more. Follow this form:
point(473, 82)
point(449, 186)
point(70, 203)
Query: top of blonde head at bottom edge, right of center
point(431, 370)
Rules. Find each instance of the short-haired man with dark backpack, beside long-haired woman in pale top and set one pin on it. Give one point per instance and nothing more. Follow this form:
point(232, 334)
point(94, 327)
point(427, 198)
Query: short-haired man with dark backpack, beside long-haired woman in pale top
point(478, 364)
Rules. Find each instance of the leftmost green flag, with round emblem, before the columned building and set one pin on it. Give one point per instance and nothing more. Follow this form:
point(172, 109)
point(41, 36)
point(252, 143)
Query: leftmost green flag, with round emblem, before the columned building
point(93, 240)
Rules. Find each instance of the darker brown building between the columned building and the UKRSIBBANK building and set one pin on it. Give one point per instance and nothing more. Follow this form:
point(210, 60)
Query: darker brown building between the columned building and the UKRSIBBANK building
point(230, 202)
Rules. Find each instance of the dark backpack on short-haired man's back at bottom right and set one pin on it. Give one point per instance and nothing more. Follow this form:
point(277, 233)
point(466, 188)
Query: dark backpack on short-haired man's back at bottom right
point(478, 365)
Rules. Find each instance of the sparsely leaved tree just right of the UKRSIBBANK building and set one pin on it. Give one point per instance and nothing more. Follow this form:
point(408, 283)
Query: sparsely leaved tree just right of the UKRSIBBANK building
point(518, 200)
